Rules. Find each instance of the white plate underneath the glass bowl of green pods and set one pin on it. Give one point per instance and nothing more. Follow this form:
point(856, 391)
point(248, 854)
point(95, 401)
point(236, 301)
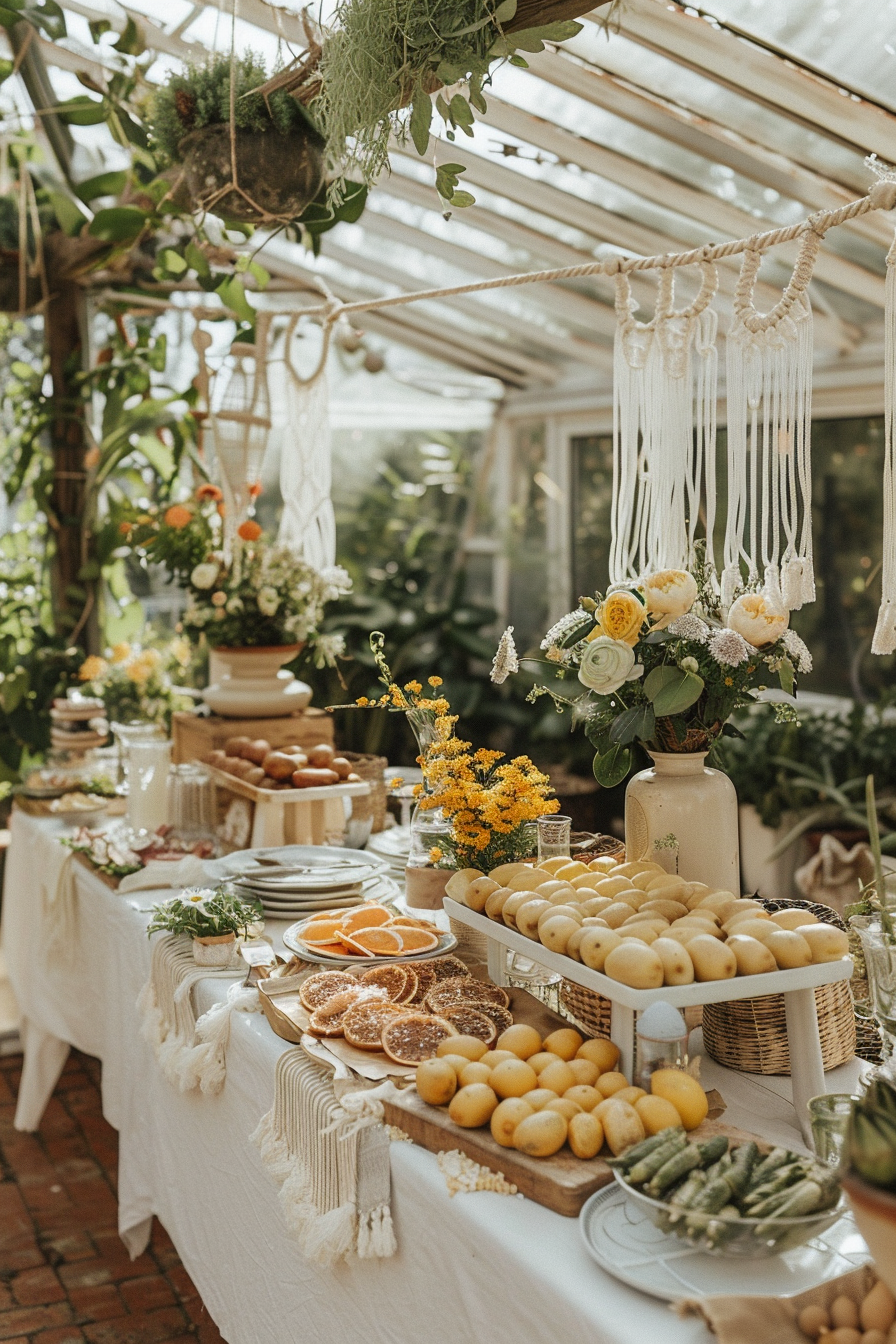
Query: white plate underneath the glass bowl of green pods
point(624, 1241)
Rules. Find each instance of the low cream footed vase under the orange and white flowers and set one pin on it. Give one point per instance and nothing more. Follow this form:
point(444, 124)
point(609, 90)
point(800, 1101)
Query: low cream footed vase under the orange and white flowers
point(253, 685)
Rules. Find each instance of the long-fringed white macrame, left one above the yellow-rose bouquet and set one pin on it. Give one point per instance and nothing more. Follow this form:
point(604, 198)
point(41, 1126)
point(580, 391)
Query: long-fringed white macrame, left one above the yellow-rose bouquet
point(664, 432)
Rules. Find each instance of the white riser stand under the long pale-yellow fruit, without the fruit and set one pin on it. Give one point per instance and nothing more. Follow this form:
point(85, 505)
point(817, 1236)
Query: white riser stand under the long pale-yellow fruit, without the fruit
point(799, 989)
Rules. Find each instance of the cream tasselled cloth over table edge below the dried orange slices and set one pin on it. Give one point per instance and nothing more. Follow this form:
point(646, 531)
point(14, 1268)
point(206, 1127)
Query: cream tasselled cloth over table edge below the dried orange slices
point(331, 1161)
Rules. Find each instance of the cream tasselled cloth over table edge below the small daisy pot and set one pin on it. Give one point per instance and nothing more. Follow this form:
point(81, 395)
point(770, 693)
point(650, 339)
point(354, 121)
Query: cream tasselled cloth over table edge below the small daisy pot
point(191, 1053)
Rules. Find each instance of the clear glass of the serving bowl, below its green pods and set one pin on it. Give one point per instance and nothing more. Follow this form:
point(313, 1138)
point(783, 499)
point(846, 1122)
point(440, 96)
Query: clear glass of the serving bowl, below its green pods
point(749, 1238)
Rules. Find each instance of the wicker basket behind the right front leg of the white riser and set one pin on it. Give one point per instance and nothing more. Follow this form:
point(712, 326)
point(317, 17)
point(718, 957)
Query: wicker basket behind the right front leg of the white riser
point(752, 1034)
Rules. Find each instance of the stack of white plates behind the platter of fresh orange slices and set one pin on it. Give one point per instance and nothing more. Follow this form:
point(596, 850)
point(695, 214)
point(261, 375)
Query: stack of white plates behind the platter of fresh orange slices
point(296, 881)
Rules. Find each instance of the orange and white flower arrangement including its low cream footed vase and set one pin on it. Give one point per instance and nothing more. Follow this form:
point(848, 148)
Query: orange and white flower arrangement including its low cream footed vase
point(257, 608)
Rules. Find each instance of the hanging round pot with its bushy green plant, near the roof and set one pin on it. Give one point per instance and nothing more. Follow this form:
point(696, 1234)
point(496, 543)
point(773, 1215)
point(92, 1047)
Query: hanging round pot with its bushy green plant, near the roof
point(249, 157)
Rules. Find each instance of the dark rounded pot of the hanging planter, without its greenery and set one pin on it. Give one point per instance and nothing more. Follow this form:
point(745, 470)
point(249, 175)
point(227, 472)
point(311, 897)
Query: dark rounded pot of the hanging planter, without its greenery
point(277, 175)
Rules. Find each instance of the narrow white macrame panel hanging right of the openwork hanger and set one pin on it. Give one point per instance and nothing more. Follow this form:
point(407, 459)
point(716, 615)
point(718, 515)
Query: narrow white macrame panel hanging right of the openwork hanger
point(308, 523)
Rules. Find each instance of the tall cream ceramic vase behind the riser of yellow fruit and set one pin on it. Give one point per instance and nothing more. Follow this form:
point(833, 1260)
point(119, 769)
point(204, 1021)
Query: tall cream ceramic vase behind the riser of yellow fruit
point(684, 816)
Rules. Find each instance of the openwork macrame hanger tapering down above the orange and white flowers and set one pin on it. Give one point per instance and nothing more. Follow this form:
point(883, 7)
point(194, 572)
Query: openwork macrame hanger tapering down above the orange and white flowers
point(240, 427)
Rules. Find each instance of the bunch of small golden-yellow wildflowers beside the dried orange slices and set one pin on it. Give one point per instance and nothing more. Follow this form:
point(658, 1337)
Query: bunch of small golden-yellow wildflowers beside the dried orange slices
point(491, 806)
